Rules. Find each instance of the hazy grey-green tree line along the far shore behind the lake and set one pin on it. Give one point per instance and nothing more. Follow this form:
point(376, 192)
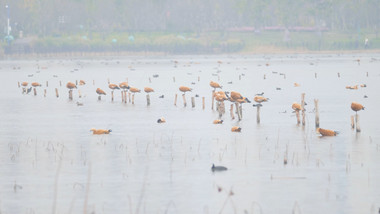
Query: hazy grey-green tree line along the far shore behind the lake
point(56, 17)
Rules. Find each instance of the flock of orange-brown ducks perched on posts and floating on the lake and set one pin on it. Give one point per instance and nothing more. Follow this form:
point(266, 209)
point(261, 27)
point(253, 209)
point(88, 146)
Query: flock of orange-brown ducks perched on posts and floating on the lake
point(219, 96)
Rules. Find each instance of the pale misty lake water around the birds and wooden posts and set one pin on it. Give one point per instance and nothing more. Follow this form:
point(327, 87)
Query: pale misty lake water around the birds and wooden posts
point(51, 163)
